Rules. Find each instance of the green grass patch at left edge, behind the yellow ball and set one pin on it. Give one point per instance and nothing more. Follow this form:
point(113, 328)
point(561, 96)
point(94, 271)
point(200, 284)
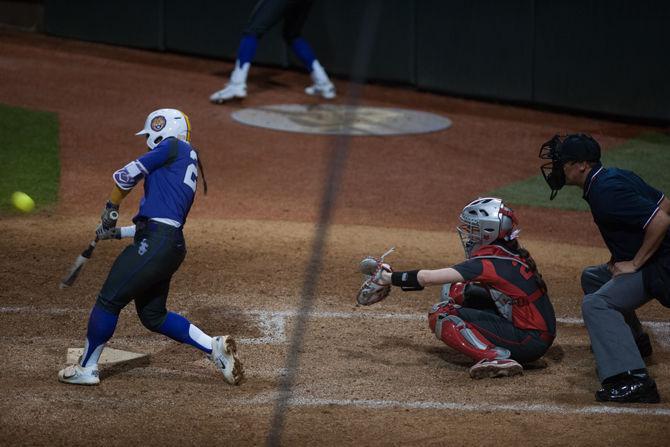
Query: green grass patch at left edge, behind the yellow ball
point(30, 156)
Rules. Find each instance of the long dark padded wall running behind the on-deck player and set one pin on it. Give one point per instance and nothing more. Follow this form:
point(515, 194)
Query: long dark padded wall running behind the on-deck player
point(595, 56)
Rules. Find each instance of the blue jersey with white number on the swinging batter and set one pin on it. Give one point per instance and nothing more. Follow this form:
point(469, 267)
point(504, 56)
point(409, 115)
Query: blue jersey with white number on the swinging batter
point(170, 173)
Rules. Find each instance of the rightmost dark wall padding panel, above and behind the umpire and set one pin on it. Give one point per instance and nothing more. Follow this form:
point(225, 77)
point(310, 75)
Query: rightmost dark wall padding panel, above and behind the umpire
point(610, 56)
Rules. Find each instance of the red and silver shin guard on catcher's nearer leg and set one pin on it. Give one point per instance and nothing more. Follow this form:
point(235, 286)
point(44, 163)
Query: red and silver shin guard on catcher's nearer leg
point(464, 338)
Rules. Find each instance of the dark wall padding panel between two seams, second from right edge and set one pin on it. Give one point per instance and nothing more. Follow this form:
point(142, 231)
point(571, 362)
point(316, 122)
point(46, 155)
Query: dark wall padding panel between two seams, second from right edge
point(481, 49)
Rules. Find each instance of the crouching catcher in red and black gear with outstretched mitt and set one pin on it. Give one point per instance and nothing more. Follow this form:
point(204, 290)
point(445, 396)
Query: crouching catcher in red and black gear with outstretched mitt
point(494, 307)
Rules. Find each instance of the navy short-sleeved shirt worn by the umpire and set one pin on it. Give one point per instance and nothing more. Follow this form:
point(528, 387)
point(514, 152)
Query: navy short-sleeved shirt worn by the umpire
point(622, 205)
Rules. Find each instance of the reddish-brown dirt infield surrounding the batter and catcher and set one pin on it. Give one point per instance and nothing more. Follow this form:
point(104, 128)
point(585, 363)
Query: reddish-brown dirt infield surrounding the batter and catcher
point(367, 376)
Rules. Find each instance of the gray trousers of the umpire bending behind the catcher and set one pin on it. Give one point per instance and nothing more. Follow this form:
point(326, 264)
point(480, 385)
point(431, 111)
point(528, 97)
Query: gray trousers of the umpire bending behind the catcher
point(609, 314)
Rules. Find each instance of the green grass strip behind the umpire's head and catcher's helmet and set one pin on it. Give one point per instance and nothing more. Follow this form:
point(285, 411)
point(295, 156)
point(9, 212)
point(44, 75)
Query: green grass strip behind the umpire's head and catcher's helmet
point(648, 155)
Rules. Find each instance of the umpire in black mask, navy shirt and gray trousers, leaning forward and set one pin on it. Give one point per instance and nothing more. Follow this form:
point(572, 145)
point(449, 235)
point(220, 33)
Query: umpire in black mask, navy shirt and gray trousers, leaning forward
point(633, 218)
